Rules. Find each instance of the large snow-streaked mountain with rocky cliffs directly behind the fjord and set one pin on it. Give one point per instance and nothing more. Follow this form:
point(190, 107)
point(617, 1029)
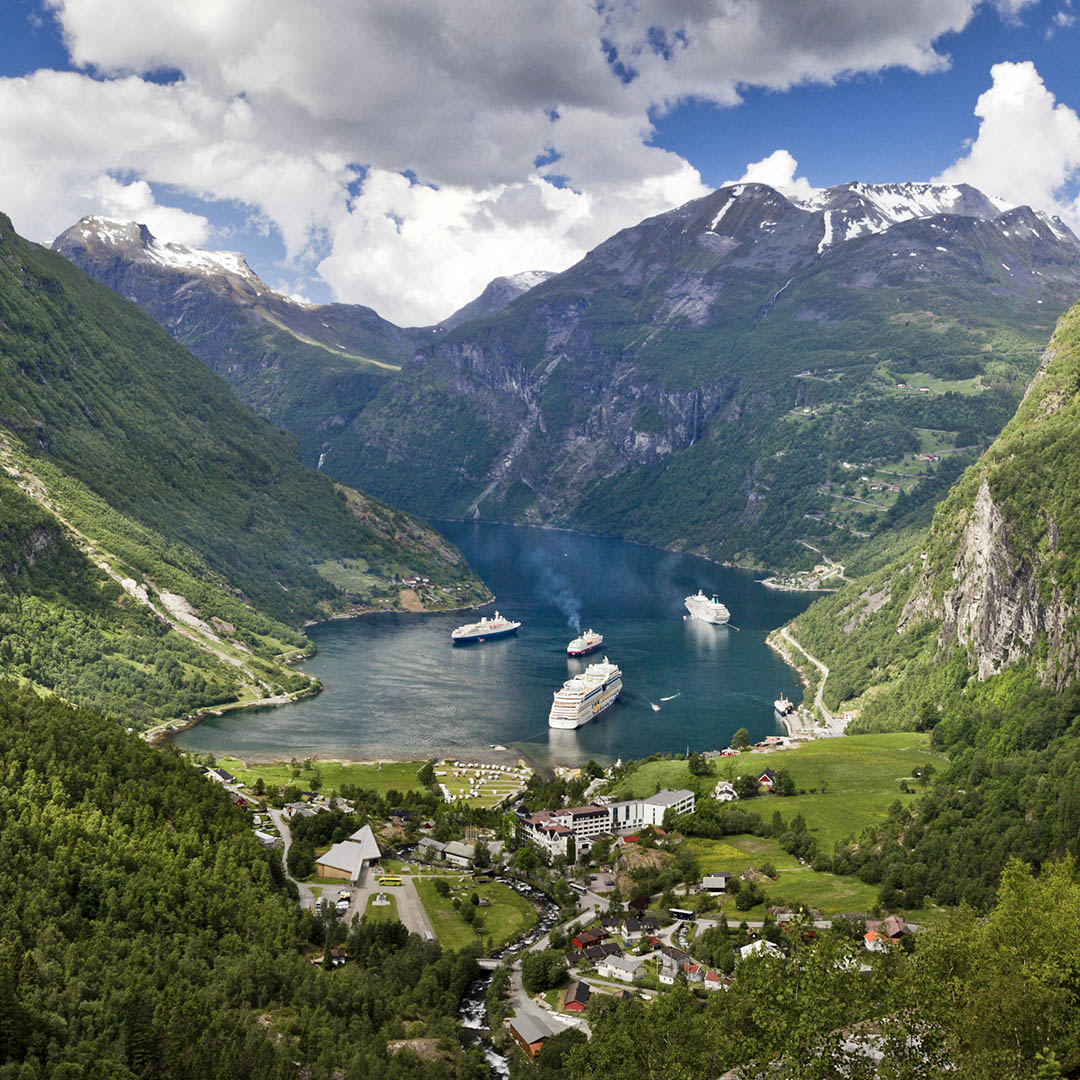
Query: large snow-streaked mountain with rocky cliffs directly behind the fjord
point(726, 358)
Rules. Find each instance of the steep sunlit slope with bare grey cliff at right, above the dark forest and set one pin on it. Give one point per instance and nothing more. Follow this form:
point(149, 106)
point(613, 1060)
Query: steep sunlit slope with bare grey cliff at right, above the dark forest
point(992, 588)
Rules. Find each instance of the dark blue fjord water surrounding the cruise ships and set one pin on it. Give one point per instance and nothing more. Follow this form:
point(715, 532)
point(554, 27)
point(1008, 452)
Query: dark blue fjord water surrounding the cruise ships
point(397, 688)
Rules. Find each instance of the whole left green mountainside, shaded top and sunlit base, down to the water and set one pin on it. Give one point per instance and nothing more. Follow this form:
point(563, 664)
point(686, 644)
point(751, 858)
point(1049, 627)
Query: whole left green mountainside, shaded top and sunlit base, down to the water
point(173, 534)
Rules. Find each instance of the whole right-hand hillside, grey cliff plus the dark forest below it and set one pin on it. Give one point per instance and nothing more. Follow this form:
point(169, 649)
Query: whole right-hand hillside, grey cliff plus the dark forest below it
point(974, 634)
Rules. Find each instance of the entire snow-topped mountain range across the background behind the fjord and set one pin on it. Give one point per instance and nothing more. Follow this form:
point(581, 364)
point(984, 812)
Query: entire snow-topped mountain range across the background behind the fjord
point(733, 377)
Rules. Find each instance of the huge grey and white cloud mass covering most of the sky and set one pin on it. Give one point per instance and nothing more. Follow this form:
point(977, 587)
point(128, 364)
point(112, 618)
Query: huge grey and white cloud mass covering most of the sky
point(524, 129)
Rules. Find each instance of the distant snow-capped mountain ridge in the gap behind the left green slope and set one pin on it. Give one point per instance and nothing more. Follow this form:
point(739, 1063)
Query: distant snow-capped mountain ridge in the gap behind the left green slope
point(308, 369)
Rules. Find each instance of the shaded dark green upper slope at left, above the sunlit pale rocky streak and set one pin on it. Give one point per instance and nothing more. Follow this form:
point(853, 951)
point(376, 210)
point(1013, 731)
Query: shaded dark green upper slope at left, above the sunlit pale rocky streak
point(98, 388)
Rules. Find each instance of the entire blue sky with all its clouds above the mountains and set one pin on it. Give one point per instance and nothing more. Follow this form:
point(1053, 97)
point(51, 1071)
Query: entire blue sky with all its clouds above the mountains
point(401, 154)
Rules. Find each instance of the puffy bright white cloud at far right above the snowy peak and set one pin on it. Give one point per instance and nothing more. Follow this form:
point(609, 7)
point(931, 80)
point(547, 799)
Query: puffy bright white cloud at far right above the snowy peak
point(1029, 145)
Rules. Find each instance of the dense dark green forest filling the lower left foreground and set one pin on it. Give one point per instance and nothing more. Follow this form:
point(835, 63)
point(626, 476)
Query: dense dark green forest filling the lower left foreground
point(145, 934)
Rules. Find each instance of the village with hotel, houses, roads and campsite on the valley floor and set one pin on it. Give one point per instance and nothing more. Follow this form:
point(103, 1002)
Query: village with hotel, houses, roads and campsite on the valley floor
point(607, 896)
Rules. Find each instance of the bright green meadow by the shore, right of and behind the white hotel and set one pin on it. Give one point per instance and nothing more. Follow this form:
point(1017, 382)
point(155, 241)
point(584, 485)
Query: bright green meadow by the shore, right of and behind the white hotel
point(857, 780)
